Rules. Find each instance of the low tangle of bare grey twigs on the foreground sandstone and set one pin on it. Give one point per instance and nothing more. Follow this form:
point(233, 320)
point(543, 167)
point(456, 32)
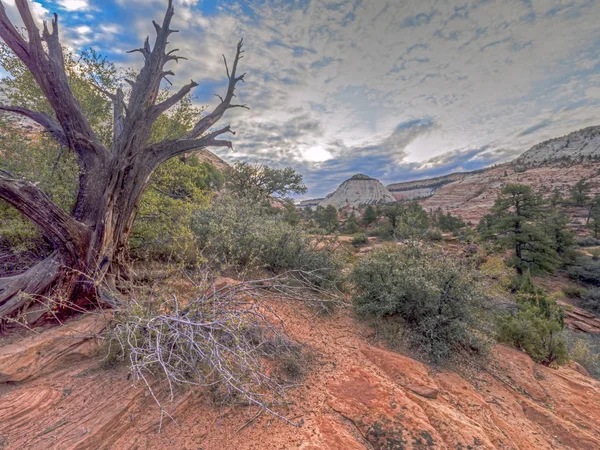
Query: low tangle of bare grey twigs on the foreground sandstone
point(226, 338)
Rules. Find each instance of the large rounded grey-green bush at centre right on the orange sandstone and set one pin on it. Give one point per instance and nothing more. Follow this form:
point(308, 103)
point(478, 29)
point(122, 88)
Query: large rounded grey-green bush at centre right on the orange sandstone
point(432, 297)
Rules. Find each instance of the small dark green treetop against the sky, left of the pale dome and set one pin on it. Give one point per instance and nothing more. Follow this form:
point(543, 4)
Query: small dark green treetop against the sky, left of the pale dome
point(258, 182)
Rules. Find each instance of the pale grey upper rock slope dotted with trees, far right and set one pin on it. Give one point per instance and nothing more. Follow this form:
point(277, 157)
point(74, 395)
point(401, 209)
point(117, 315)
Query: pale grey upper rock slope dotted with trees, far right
point(580, 144)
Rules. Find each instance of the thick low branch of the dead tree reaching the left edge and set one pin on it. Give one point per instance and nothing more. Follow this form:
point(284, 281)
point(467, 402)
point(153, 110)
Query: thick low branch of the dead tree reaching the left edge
point(66, 233)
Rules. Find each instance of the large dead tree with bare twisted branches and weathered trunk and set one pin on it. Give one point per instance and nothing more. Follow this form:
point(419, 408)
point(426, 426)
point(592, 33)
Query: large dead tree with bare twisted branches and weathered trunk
point(90, 245)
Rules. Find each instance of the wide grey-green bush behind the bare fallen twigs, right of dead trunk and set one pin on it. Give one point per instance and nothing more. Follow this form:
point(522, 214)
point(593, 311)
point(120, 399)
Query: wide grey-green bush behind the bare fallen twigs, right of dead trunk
point(235, 233)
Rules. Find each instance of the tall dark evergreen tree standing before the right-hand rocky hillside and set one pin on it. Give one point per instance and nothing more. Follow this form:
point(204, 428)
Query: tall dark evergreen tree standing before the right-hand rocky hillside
point(515, 220)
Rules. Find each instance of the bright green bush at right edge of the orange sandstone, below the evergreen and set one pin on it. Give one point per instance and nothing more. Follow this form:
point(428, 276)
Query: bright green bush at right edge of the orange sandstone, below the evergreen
point(536, 327)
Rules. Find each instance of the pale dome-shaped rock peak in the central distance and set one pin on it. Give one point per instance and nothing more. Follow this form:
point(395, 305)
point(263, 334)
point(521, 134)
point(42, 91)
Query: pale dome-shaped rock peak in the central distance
point(358, 190)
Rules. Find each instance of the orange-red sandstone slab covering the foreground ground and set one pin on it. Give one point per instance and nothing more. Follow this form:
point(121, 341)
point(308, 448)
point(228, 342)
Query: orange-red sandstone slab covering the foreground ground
point(355, 396)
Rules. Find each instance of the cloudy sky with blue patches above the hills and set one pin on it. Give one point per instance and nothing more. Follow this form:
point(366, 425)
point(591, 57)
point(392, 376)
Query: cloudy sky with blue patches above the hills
point(397, 90)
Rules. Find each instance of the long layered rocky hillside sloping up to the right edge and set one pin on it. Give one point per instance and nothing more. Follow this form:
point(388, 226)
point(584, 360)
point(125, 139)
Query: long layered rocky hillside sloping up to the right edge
point(554, 164)
